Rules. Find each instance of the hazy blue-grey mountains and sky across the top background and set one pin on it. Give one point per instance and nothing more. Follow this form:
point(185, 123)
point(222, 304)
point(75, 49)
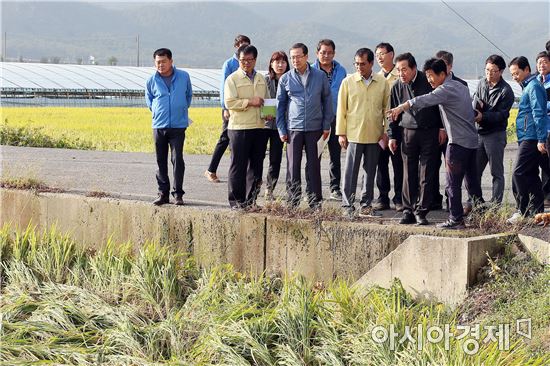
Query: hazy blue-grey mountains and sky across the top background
point(201, 33)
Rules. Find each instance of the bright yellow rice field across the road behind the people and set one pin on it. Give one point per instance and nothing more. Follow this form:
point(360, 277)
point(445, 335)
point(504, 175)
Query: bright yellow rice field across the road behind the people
point(113, 129)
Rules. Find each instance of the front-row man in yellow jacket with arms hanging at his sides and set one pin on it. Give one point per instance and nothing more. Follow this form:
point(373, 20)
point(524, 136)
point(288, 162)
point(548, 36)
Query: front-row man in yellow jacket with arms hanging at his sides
point(363, 100)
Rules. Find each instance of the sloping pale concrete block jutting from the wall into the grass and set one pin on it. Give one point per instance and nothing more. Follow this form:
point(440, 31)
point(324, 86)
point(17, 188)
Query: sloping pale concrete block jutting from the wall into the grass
point(437, 269)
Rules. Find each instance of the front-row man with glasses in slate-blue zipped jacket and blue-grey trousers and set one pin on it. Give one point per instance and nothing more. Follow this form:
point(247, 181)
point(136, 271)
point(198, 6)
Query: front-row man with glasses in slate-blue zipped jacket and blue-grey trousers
point(304, 114)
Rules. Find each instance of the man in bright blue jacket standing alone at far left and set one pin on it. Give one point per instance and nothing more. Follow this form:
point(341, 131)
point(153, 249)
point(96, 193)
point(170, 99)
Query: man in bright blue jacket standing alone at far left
point(168, 94)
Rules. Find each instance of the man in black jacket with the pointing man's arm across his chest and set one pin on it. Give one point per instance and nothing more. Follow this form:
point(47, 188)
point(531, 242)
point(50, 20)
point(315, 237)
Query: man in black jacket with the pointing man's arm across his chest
point(422, 134)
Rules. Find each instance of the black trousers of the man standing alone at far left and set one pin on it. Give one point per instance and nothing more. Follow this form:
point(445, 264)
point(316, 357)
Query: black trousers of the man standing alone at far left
point(173, 139)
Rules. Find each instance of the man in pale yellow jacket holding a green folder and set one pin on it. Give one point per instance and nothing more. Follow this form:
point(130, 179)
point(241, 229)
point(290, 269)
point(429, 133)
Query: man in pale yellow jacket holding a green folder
point(244, 93)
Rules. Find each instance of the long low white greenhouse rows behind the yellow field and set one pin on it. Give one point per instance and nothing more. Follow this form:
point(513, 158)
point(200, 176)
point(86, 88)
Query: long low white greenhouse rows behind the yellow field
point(36, 84)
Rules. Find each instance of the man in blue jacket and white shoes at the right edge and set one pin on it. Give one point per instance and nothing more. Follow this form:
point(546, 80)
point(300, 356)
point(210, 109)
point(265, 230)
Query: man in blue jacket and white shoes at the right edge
point(531, 130)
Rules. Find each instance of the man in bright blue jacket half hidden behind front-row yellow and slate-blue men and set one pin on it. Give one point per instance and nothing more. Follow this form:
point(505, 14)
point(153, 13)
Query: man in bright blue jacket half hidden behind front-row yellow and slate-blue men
point(326, 49)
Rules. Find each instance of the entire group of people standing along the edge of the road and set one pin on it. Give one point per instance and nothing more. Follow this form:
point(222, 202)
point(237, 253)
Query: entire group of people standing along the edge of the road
point(414, 116)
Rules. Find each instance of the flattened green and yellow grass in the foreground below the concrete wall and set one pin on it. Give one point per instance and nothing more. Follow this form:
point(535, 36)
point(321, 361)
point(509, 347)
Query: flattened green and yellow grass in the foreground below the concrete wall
point(63, 303)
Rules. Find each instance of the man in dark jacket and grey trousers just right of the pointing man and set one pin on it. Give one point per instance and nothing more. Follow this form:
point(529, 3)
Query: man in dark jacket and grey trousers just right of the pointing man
point(492, 102)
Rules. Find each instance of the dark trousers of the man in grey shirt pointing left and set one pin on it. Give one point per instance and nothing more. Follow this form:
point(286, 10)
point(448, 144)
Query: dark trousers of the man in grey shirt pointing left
point(460, 164)
